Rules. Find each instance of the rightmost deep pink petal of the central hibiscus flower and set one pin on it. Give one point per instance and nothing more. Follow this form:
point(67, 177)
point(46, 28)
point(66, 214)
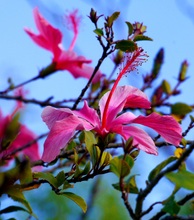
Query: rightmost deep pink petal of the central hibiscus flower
point(166, 126)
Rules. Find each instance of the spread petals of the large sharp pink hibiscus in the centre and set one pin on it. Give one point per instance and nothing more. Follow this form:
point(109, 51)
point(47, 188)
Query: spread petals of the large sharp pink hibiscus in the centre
point(64, 122)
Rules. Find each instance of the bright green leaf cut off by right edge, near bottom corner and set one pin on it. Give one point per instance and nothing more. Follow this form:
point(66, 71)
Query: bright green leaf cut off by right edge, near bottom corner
point(182, 178)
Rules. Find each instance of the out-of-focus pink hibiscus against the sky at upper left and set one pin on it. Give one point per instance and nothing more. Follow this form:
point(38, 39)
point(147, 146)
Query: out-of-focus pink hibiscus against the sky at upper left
point(50, 38)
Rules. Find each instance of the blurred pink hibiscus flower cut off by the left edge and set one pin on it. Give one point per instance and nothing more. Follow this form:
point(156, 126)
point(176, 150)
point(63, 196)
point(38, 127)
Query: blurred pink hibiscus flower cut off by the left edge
point(23, 136)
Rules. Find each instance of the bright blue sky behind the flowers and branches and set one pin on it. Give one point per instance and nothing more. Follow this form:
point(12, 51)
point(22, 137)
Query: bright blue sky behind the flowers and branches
point(169, 23)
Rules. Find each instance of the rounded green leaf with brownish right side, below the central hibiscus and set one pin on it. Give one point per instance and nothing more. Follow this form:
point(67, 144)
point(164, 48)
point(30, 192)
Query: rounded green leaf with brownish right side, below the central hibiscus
point(119, 167)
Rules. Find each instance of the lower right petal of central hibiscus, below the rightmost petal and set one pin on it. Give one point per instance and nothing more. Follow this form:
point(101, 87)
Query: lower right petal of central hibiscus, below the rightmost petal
point(140, 138)
